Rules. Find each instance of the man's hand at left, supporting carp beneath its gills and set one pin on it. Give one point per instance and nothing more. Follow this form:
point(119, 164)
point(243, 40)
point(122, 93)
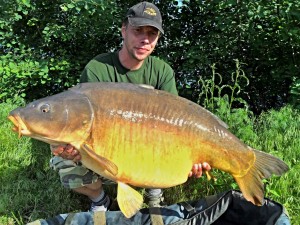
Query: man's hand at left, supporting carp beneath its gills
point(66, 152)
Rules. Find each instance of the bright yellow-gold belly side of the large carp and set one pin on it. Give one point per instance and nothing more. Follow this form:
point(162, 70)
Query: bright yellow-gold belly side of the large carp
point(145, 157)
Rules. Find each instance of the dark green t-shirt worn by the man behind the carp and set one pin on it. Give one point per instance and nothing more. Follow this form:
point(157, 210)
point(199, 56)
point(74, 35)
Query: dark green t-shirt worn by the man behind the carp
point(108, 68)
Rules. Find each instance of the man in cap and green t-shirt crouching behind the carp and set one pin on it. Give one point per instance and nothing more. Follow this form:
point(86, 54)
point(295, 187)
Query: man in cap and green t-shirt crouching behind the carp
point(132, 64)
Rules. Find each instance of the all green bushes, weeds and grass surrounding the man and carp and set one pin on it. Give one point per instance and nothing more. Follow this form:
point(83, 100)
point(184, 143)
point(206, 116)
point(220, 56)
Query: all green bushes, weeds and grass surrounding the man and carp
point(239, 59)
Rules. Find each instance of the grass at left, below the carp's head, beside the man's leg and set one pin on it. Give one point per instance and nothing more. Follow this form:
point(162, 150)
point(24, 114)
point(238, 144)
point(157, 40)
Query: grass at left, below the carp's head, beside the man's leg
point(29, 189)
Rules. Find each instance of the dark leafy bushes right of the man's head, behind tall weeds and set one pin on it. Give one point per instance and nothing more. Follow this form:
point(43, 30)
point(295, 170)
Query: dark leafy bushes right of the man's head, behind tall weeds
point(262, 34)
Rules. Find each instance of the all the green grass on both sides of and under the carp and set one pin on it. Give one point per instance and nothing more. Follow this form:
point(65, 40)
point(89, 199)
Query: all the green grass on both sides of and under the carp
point(30, 190)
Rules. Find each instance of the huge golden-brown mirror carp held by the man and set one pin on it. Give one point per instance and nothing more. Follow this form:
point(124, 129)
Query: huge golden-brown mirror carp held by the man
point(139, 136)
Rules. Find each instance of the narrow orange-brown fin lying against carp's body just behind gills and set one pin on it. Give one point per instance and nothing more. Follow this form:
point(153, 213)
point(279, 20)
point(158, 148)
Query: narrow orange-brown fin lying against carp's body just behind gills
point(105, 163)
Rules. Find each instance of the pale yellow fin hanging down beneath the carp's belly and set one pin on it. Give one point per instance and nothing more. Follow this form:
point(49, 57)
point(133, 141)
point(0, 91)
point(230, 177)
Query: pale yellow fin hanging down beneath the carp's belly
point(130, 201)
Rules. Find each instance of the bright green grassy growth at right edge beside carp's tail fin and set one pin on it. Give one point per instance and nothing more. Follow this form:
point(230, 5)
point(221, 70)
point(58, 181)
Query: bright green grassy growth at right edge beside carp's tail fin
point(279, 134)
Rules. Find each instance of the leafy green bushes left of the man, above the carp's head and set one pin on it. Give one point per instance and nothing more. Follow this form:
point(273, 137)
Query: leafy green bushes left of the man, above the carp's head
point(44, 44)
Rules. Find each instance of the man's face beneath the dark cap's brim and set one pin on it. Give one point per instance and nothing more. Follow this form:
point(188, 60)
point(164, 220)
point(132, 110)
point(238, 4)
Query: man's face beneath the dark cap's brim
point(139, 41)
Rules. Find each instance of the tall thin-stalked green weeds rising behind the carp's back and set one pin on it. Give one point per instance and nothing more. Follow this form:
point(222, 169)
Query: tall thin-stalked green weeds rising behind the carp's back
point(224, 100)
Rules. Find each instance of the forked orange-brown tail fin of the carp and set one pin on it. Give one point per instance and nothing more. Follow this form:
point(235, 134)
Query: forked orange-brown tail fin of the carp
point(251, 184)
